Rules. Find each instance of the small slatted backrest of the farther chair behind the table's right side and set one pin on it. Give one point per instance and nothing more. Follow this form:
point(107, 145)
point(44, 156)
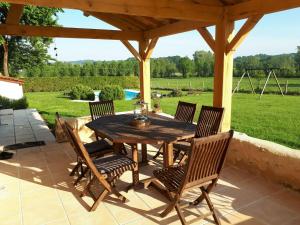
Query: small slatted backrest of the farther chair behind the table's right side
point(185, 111)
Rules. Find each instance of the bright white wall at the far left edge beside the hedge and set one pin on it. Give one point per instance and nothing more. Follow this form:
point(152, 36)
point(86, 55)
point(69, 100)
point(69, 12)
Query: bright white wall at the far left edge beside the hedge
point(11, 90)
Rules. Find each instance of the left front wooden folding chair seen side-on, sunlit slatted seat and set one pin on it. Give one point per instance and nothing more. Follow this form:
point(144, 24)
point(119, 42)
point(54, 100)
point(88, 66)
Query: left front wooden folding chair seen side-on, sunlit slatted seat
point(105, 171)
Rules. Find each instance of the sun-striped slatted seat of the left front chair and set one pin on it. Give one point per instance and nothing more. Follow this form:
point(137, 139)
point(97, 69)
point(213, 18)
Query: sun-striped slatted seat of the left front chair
point(114, 165)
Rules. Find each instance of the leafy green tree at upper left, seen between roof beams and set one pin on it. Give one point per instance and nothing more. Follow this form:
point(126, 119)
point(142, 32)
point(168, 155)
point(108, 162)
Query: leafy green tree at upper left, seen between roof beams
point(18, 53)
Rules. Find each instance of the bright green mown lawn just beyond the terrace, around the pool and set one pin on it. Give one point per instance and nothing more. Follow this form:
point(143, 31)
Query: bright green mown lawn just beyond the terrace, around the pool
point(273, 118)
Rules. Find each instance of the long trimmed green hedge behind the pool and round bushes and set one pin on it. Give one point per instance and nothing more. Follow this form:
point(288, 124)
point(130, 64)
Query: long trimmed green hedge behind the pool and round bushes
point(52, 84)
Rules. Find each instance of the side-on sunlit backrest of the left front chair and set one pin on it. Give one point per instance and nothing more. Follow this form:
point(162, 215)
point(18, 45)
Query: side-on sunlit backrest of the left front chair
point(85, 155)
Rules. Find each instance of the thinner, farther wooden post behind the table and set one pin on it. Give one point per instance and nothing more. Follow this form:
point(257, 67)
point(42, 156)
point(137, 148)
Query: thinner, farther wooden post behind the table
point(145, 73)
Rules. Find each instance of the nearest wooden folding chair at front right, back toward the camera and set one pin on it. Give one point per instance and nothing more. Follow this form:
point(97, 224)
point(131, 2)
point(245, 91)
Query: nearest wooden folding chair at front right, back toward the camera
point(202, 170)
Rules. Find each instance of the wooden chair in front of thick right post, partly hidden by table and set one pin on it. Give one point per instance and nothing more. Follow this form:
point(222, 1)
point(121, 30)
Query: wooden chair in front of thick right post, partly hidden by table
point(209, 123)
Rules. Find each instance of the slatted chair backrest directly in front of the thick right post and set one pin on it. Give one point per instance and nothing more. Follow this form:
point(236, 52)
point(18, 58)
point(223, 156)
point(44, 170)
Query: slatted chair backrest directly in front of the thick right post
point(209, 121)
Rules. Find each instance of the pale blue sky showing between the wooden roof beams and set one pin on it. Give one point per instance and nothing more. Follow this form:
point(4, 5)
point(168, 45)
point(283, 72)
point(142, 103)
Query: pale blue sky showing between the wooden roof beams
point(275, 34)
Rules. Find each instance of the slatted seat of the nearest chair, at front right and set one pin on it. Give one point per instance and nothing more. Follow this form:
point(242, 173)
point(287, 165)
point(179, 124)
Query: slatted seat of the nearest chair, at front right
point(171, 177)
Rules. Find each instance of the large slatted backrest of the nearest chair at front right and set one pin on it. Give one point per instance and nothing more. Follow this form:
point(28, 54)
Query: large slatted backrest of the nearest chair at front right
point(206, 159)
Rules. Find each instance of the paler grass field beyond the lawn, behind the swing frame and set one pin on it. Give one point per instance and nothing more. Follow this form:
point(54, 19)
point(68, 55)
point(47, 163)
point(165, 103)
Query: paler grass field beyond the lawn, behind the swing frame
point(206, 83)
